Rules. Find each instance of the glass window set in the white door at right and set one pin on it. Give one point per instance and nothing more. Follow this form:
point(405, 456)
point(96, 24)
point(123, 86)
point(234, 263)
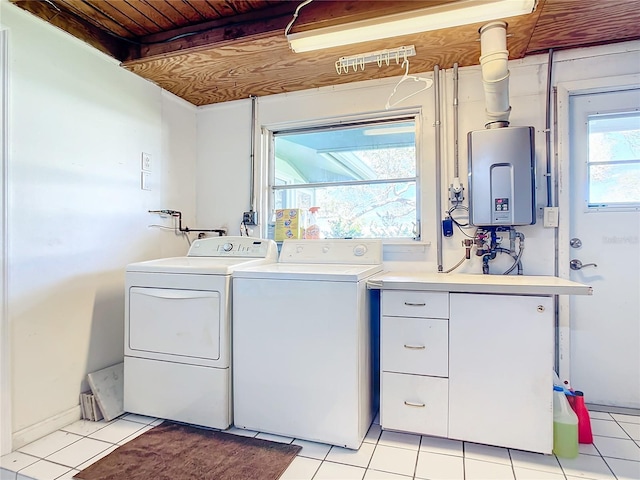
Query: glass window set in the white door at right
point(614, 159)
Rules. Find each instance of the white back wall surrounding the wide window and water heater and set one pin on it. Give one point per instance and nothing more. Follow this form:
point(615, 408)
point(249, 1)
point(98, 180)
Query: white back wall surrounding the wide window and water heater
point(224, 143)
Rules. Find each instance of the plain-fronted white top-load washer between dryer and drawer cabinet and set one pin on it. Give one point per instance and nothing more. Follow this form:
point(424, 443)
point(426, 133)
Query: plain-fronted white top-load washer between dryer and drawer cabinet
point(302, 342)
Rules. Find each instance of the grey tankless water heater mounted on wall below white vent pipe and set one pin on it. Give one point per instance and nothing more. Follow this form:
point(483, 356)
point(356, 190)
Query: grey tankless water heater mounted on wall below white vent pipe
point(502, 176)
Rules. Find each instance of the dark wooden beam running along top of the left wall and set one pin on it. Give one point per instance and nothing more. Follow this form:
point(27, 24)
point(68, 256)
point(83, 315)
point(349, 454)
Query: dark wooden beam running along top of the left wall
point(75, 26)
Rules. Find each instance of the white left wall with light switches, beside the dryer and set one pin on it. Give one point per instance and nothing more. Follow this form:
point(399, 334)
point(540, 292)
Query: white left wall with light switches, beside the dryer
point(77, 215)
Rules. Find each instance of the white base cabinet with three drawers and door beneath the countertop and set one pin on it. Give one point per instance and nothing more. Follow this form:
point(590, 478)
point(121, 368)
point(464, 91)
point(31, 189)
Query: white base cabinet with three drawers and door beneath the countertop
point(474, 367)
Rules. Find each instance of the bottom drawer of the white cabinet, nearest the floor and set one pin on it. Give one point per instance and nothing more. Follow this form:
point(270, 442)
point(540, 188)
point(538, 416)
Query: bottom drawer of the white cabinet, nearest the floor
point(414, 403)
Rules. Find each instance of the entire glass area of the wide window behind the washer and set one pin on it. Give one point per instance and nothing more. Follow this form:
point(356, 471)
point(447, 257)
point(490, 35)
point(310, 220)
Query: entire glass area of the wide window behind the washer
point(361, 177)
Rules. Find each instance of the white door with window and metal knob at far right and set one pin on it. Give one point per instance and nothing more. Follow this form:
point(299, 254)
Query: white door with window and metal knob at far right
point(605, 231)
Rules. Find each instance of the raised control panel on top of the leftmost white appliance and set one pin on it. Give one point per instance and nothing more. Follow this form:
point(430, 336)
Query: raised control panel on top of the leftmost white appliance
point(233, 247)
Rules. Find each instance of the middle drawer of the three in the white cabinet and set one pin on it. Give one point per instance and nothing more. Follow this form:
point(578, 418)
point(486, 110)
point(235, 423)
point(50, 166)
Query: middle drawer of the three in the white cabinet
point(415, 345)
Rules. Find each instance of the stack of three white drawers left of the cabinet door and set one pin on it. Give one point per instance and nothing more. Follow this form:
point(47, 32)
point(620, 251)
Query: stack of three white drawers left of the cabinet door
point(414, 358)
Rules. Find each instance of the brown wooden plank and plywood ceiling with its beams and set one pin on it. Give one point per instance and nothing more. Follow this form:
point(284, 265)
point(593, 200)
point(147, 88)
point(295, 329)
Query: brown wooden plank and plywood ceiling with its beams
point(210, 51)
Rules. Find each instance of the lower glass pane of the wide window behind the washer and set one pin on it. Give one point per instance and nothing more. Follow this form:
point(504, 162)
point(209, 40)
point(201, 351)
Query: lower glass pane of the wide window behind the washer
point(357, 211)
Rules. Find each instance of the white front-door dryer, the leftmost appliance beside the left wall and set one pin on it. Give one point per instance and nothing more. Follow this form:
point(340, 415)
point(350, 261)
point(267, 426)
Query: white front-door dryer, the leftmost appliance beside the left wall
point(178, 330)
